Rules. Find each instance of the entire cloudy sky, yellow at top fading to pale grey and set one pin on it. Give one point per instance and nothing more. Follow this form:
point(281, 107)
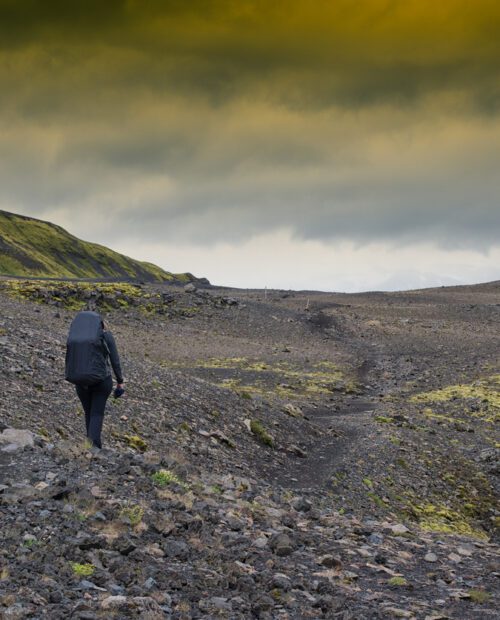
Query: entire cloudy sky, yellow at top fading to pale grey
point(322, 144)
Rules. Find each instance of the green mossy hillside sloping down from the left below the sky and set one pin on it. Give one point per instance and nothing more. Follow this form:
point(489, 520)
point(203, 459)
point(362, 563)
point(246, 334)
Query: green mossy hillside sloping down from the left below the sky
point(34, 248)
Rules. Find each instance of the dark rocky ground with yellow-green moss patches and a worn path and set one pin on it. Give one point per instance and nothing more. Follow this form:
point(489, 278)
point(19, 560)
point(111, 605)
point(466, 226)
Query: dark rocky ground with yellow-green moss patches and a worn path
point(276, 455)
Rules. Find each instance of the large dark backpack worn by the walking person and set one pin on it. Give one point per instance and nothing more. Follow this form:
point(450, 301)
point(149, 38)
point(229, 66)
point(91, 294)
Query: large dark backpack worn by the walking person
point(86, 350)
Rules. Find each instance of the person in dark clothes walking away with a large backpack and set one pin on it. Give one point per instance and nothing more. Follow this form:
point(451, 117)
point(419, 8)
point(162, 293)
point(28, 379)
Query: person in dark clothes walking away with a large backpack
point(90, 354)
